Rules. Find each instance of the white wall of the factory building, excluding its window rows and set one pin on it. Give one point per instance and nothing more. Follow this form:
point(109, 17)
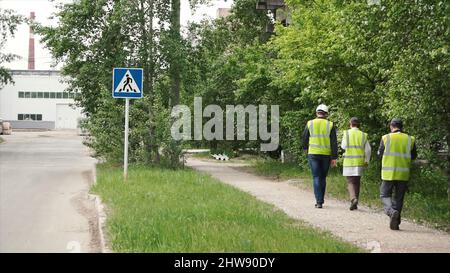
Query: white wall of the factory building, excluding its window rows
point(61, 112)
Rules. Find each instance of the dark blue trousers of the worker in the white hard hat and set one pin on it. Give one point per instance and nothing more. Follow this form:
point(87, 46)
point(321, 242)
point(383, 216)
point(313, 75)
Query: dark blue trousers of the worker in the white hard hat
point(319, 165)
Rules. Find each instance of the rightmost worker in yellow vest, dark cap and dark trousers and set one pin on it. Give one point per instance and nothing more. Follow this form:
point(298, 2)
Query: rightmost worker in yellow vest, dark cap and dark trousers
point(397, 149)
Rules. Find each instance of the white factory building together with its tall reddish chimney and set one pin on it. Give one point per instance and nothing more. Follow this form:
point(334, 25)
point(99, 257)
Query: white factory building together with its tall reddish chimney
point(37, 99)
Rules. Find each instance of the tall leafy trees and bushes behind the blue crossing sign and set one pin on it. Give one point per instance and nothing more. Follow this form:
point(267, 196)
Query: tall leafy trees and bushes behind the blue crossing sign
point(91, 39)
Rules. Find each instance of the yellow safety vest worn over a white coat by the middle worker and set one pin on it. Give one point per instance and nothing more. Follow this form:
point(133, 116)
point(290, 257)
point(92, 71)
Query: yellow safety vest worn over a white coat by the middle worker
point(355, 150)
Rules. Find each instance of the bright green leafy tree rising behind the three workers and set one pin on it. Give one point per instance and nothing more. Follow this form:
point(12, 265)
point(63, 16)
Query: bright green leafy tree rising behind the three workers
point(375, 61)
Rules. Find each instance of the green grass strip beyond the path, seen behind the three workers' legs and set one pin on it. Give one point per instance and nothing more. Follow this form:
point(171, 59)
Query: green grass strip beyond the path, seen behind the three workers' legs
point(426, 201)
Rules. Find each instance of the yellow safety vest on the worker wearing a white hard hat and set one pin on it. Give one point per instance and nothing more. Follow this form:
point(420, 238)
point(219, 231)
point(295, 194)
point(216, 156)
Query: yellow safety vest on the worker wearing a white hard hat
point(319, 136)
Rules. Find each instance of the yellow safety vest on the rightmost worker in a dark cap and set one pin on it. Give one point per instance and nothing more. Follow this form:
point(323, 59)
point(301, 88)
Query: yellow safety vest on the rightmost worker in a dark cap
point(396, 161)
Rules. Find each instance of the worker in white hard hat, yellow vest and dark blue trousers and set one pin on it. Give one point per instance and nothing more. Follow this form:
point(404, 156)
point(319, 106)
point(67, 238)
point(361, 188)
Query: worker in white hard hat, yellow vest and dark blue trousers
point(320, 142)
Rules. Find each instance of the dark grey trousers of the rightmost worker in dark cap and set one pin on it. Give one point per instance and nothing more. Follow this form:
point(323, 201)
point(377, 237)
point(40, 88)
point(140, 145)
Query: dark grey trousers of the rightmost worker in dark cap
point(391, 203)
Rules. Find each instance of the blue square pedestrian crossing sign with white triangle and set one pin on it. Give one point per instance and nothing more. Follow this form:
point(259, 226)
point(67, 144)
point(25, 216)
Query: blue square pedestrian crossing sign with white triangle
point(127, 83)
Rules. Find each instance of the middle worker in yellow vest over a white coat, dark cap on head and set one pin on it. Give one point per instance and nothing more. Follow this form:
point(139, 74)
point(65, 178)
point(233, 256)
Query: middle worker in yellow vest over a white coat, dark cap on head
point(356, 157)
